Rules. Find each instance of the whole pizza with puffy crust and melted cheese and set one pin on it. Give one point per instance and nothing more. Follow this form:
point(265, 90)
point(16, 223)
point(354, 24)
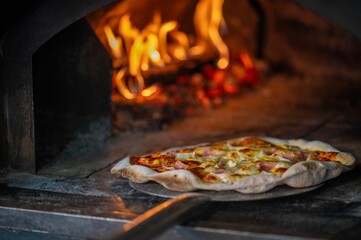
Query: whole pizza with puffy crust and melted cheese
point(247, 165)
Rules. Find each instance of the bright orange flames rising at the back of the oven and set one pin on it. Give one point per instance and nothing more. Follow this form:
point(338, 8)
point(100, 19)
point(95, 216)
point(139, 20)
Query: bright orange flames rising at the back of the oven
point(136, 52)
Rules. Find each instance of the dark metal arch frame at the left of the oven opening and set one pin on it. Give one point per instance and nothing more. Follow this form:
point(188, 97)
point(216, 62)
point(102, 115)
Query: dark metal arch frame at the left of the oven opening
point(18, 47)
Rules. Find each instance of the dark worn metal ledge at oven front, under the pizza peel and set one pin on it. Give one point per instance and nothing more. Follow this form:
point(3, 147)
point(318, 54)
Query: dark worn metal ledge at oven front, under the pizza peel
point(94, 207)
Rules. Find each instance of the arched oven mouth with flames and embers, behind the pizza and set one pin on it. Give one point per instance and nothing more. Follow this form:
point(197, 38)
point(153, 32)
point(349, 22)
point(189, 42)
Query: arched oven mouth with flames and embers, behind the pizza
point(134, 77)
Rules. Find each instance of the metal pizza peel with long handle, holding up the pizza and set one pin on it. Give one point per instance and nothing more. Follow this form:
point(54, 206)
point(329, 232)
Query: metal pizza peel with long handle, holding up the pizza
point(160, 218)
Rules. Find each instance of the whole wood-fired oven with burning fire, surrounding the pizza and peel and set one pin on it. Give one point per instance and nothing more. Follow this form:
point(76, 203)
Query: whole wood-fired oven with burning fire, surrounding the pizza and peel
point(72, 105)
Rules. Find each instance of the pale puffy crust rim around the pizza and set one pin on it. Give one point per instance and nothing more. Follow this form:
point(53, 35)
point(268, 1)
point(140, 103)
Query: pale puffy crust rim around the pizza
point(302, 174)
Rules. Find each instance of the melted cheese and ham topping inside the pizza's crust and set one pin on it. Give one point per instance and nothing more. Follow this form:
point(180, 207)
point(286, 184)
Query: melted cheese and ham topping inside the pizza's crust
point(230, 160)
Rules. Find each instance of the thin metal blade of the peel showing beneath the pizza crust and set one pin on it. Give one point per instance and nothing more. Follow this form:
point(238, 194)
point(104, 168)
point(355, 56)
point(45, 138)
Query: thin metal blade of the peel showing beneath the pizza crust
point(224, 196)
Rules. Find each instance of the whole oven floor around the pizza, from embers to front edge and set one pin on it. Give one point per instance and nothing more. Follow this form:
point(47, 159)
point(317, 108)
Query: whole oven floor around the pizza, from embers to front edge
point(79, 199)
